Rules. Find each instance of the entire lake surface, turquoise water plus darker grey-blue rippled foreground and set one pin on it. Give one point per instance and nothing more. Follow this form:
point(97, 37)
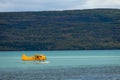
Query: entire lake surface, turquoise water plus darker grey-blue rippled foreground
point(63, 65)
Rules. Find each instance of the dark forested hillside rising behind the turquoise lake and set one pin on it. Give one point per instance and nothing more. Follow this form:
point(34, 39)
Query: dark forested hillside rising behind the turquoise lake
point(60, 30)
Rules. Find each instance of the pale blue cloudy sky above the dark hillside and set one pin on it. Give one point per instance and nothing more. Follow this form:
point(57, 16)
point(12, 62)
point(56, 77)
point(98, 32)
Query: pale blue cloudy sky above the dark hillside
point(50, 5)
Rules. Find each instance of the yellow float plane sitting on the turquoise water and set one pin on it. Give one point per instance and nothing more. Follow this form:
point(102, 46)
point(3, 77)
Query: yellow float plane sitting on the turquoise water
point(40, 57)
